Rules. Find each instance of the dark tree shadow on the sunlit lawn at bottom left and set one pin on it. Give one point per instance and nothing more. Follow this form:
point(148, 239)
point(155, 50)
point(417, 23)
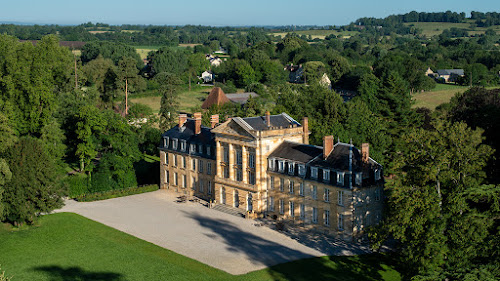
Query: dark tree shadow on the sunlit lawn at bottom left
point(58, 273)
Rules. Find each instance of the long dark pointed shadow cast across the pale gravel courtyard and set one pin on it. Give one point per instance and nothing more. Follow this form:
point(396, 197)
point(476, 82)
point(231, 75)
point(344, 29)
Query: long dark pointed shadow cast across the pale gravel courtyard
point(258, 250)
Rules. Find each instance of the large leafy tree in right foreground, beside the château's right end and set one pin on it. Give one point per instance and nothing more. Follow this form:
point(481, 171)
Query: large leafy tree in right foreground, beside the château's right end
point(434, 201)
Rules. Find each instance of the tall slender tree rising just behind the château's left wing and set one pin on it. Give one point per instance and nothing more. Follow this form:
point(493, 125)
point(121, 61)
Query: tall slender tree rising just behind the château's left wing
point(169, 90)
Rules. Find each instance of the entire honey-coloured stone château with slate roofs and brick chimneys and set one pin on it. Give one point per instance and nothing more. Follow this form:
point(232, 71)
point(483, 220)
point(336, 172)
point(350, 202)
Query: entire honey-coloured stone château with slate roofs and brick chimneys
point(265, 166)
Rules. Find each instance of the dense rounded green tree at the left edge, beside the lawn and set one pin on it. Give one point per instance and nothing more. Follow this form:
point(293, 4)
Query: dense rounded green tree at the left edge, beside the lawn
point(33, 189)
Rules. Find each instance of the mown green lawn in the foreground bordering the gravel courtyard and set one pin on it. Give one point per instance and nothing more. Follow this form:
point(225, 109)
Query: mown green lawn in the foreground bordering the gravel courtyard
point(67, 246)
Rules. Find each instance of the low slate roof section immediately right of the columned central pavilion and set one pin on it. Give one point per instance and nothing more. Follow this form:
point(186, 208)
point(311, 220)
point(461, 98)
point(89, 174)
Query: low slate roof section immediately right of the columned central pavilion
point(296, 152)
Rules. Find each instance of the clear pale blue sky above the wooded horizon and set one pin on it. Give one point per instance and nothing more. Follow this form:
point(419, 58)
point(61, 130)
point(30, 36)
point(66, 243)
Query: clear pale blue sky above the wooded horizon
point(224, 12)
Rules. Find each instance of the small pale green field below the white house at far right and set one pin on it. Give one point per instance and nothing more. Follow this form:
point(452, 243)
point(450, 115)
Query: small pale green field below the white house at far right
point(439, 95)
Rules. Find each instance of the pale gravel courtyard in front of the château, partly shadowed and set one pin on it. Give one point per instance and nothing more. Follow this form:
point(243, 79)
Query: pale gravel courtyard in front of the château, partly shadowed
point(227, 242)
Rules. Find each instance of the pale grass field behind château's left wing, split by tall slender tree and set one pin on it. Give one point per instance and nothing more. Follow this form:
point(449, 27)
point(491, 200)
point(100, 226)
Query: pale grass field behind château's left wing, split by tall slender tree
point(187, 99)
